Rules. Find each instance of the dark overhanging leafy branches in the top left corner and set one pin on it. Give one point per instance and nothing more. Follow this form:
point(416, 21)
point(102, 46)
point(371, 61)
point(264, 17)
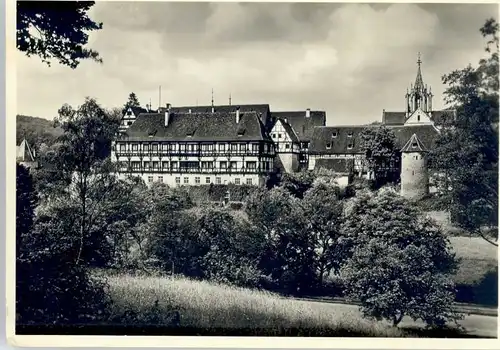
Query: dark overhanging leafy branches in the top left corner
point(56, 30)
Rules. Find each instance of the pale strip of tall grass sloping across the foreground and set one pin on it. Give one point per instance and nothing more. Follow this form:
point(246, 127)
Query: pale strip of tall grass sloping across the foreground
point(205, 305)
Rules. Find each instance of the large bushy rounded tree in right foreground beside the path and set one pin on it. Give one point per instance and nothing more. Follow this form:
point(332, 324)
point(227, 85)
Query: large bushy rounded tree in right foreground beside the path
point(397, 262)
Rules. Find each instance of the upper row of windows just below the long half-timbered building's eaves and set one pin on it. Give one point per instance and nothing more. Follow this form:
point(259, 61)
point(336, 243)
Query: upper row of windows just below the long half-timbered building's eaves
point(192, 147)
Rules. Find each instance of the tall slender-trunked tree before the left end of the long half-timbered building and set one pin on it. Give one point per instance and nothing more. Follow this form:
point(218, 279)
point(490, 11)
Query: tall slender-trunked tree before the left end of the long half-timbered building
point(83, 156)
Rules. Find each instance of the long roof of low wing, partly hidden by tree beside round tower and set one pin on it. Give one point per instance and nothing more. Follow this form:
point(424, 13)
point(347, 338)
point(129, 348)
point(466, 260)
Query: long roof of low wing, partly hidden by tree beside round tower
point(323, 137)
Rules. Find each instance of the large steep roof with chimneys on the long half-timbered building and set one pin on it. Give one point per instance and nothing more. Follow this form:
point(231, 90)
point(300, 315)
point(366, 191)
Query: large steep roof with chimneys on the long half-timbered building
point(192, 126)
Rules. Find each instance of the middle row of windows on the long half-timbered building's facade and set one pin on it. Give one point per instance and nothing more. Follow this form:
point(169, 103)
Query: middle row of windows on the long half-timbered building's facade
point(155, 165)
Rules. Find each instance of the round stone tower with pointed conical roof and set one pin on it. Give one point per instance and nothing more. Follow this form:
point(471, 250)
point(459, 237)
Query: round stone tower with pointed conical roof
point(414, 171)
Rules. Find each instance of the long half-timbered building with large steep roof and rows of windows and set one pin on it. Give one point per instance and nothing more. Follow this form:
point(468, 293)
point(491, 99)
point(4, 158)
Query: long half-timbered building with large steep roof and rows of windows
point(195, 148)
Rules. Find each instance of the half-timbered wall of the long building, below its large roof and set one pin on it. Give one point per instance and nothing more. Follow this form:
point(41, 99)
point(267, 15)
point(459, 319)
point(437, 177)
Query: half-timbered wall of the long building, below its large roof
point(194, 163)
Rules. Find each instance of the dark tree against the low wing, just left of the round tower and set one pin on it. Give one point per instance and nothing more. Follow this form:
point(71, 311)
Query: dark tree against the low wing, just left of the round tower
point(381, 155)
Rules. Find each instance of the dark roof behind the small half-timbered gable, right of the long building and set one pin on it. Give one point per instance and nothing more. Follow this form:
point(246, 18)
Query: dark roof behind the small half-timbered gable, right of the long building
point(302, 125)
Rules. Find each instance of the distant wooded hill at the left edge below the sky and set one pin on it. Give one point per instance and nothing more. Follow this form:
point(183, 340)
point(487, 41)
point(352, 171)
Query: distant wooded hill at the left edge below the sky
point(36, 131)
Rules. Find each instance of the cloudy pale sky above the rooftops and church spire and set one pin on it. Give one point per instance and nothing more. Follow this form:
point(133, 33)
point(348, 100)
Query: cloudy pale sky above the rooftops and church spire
point(350, 60)
